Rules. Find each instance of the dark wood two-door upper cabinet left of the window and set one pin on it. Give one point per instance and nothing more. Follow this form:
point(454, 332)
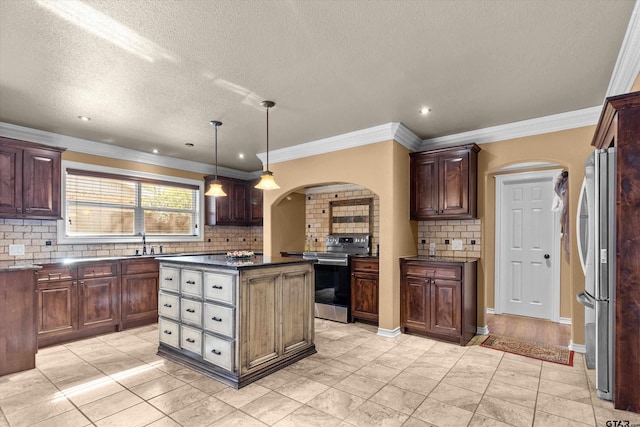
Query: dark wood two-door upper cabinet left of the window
point(30, 180)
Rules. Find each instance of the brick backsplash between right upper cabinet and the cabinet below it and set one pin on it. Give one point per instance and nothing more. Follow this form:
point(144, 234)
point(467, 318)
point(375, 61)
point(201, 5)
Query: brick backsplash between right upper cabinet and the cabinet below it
point(441, 230)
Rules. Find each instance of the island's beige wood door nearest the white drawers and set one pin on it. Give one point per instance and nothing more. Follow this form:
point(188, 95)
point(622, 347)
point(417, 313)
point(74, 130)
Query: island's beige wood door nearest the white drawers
point(260, 306)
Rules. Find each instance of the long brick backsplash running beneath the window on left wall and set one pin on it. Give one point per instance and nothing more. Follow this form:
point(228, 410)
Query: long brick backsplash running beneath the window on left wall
point(35, 233)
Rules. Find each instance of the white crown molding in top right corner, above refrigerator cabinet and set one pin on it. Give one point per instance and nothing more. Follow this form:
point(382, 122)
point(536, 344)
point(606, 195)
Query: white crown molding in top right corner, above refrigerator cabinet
point(627, 66)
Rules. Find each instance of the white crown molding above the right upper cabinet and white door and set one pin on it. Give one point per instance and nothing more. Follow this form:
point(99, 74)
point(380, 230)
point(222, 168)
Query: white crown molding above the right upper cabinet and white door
point(537, 126)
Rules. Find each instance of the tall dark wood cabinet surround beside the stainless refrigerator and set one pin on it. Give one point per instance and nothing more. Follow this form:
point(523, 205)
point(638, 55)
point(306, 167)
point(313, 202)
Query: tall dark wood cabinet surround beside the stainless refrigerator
point(619, 126)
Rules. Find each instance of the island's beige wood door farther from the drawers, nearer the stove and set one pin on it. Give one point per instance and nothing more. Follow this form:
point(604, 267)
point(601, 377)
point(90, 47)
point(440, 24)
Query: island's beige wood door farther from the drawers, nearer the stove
point(296, 310)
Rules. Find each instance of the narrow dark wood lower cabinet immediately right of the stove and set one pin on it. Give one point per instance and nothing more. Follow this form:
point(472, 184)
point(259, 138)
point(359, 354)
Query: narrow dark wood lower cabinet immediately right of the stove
point(364, 289)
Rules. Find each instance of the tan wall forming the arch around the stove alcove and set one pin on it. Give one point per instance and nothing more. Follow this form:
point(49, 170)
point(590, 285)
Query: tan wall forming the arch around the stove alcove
point(383, 168)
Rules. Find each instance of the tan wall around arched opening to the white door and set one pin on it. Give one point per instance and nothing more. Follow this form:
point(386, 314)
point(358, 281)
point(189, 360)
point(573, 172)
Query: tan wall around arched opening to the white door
point(569, 149)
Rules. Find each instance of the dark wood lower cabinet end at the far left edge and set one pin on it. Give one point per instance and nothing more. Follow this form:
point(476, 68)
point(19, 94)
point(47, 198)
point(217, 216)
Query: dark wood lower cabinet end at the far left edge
point(18, 330)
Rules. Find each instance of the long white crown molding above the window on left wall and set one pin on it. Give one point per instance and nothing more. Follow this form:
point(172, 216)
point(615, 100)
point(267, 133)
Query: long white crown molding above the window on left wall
point(85, 146)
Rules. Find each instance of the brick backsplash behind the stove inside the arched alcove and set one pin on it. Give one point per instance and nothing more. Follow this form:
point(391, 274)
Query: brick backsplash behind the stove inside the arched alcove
point(317, 216)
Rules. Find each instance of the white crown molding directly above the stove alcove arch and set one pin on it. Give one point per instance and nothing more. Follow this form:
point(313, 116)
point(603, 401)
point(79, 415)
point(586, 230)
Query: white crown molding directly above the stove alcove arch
point(389, 131)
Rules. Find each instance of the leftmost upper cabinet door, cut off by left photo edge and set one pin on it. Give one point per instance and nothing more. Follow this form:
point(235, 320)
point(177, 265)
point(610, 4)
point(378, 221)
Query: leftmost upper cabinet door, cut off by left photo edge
point(10, 180)
